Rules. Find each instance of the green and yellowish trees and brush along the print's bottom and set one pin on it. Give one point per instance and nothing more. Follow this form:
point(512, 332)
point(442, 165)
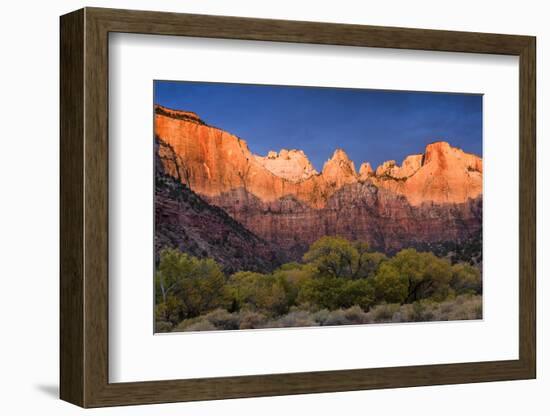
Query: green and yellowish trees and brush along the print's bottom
point(338, 282)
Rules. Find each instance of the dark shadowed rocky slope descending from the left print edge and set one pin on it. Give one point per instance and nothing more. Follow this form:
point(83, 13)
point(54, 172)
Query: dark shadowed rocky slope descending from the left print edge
point(186, 221)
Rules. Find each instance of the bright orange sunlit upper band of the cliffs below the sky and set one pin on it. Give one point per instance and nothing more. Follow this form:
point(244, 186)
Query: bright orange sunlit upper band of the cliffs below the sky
point(216, 162)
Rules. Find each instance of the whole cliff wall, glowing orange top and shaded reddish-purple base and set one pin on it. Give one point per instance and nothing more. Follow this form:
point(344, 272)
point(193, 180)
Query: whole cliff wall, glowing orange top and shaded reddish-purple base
point(280, 197)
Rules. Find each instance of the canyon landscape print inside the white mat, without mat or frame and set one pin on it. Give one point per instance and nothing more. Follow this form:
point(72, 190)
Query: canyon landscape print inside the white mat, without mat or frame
point(290, 206)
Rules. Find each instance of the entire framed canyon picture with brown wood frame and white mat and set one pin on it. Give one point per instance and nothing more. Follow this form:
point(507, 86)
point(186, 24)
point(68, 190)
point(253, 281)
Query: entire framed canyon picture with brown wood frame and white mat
point(257, 207)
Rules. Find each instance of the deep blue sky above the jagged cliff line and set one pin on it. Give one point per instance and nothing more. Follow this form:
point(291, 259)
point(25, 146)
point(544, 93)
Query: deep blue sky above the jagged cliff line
point(370, 125)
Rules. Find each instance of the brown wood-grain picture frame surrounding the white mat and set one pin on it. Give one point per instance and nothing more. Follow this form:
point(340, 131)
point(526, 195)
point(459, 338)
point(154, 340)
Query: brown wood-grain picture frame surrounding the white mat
point(84, 207)
